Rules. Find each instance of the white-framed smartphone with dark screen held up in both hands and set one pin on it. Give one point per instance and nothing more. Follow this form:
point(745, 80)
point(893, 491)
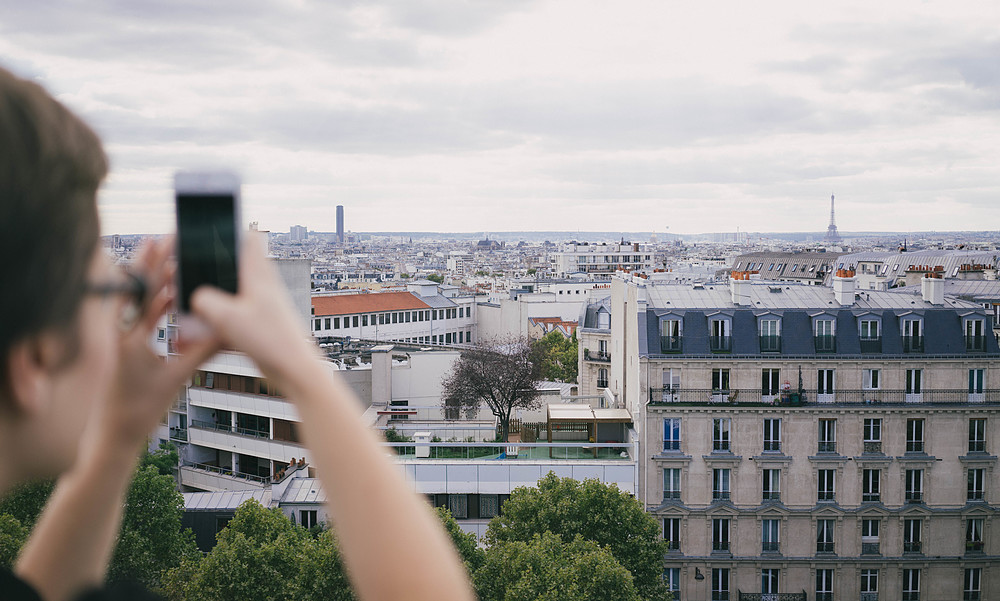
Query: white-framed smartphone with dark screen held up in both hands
point(208, 234)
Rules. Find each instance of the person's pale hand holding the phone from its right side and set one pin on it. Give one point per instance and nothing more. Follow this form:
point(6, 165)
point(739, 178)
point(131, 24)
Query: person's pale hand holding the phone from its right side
point(260, 319)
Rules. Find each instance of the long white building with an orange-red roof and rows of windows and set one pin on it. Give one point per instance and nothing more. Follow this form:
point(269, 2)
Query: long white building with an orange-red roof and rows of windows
point(425, 314)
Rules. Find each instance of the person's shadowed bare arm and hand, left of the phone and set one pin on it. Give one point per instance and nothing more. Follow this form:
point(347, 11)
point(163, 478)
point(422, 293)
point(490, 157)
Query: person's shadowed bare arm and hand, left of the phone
point(71, 545)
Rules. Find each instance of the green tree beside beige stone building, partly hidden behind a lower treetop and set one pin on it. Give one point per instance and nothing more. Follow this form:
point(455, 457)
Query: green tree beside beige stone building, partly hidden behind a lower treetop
point(598, 512)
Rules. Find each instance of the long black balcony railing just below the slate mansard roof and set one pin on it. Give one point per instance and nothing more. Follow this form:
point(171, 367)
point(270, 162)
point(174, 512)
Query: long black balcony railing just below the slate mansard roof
point(754, 396)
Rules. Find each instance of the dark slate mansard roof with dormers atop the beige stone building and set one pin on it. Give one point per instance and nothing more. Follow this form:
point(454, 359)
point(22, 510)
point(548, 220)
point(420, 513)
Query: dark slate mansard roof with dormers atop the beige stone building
point(796, 306)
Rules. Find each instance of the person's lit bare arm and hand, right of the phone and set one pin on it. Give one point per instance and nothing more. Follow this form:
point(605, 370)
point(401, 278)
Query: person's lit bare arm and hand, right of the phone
point(393, 545)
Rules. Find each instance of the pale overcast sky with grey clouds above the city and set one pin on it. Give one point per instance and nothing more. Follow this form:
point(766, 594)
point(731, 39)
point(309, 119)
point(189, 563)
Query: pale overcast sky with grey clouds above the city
point(453, 115)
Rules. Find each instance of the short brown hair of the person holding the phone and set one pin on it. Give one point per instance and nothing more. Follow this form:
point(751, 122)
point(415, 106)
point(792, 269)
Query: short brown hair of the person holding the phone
point(51, 165)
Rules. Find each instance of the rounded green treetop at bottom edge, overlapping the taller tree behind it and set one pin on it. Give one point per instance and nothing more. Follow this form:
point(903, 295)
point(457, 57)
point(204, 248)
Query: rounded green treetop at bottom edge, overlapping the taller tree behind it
point(545, 568)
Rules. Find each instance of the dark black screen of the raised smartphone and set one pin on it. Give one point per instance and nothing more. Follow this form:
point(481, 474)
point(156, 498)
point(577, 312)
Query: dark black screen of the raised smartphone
point(206, 233)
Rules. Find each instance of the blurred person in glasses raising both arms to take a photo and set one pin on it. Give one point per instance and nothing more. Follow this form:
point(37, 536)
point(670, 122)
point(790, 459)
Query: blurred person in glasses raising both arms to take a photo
point(81, 390)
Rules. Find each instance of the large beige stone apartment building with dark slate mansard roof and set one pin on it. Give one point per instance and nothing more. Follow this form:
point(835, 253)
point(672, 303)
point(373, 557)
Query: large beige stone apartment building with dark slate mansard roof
point(812, 442)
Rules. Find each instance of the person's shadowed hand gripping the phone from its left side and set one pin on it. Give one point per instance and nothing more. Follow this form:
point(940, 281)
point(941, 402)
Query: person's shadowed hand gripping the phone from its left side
point(146, 384)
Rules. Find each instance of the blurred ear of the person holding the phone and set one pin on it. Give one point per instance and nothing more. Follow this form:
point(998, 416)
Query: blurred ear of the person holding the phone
point(31, 364)
